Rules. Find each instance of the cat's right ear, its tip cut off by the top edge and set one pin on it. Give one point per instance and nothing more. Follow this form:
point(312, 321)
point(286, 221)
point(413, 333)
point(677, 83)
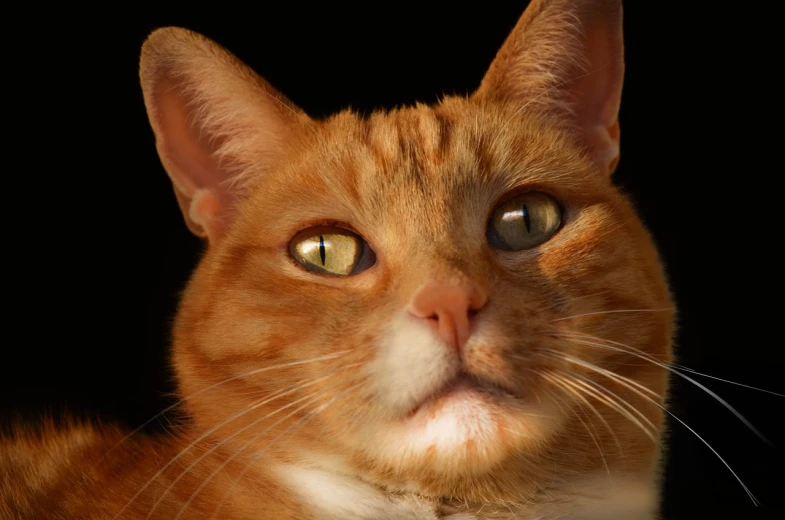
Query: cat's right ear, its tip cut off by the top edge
point(565, 58)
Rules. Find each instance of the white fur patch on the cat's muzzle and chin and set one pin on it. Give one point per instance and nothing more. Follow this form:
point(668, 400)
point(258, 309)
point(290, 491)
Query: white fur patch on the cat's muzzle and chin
point(460, 428)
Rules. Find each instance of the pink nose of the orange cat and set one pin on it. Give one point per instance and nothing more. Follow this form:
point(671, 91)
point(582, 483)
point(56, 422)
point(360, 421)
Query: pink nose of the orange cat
point(449, 308)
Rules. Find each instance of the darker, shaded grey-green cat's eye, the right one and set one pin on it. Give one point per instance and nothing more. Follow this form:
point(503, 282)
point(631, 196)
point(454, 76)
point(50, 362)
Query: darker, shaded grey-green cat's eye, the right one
point(524, 221)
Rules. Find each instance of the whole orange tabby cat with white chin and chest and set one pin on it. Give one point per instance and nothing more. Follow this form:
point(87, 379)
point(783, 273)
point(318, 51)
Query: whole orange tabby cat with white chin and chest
point(441, 311)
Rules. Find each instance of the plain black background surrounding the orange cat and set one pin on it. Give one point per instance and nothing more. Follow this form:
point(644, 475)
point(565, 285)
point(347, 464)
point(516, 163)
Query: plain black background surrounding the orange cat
point(97, 251)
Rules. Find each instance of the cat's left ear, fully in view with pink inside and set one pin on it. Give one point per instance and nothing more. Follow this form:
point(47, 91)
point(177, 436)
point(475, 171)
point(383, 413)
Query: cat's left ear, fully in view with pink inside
point(217, 124)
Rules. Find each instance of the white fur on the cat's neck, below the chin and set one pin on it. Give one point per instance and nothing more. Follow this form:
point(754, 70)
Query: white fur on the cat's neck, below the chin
point(328, 490)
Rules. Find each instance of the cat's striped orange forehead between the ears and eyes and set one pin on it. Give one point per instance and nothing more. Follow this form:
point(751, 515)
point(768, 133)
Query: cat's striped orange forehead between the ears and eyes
point(439, 166)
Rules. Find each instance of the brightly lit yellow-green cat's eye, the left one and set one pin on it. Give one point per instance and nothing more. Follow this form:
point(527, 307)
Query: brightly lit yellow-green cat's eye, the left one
point(331, 251)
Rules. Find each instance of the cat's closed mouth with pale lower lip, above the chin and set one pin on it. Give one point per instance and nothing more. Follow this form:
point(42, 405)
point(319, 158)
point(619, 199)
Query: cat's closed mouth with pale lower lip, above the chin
point(465, 390)
